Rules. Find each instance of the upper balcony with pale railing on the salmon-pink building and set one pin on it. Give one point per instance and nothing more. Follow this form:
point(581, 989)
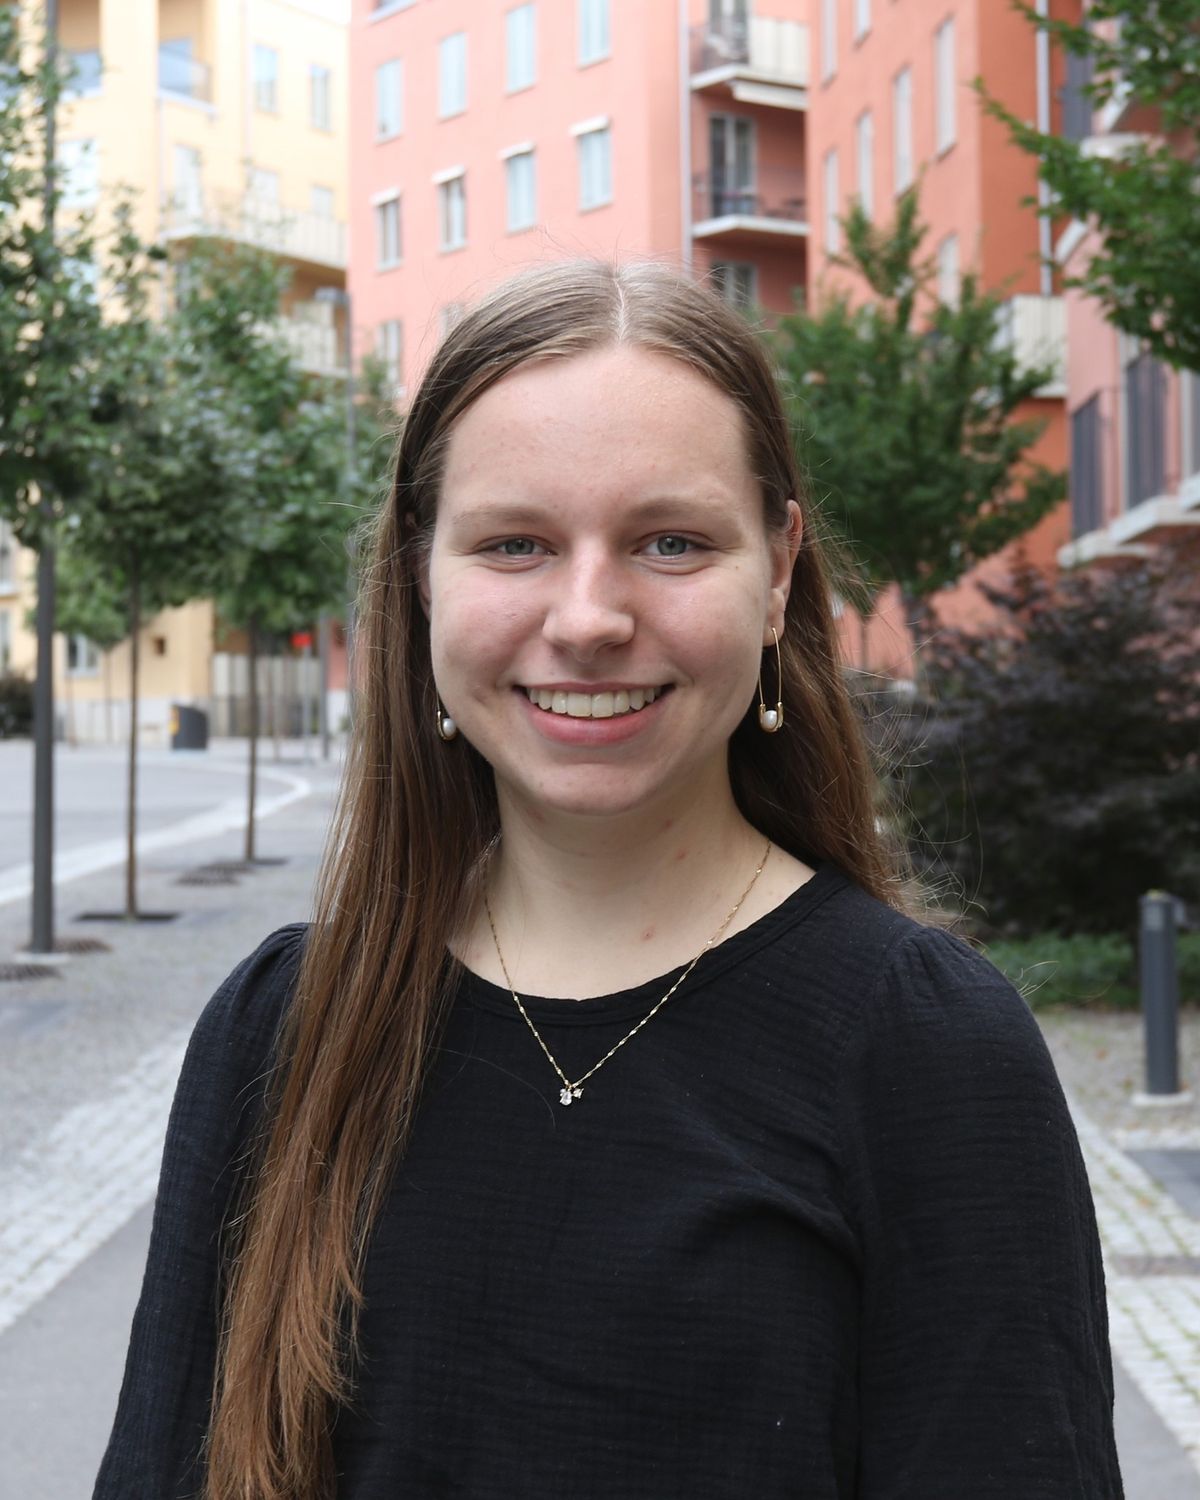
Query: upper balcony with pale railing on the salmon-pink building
point(755, 62)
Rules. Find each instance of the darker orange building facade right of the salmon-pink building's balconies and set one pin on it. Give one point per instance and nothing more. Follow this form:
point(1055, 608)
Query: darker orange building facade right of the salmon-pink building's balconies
point(893, 107)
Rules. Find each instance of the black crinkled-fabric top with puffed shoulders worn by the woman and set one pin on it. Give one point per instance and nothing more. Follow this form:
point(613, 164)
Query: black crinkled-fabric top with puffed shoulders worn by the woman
point(821, 1229)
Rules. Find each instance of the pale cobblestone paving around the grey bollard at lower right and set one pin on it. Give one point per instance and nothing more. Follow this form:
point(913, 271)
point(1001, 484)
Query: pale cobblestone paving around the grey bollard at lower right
point(1151, 1244)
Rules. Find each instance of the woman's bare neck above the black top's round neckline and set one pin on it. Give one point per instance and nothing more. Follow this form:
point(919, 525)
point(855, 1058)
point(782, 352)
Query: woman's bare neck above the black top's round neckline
point(590, 907)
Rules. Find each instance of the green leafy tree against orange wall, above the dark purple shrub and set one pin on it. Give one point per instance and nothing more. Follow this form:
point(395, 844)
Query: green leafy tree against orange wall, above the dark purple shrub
point(907, 410)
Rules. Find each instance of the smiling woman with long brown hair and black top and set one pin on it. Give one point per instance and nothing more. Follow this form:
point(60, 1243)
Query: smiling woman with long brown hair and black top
point(613, 1132)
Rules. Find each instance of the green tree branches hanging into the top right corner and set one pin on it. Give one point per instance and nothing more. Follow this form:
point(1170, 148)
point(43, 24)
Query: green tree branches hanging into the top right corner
point(1144, 200)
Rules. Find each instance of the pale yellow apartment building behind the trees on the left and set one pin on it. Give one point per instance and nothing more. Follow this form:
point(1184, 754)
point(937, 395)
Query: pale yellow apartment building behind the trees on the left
point(226, 116)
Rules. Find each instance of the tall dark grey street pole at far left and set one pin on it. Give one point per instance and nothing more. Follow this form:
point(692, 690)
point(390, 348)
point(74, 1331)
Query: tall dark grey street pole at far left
point(43, 935)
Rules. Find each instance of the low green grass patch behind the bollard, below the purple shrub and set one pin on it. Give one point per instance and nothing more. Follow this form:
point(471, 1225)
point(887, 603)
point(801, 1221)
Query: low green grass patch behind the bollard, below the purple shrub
point(1088, 973)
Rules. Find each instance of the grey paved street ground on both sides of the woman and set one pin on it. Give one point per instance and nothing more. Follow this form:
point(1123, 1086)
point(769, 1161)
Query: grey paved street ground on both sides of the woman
point(88, 1070)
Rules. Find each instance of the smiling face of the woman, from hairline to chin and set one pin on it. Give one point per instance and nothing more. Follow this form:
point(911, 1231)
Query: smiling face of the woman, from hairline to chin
point(602, 584)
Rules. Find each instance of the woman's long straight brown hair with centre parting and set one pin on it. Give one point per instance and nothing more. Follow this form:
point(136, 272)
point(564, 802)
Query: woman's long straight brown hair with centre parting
point(412, 835)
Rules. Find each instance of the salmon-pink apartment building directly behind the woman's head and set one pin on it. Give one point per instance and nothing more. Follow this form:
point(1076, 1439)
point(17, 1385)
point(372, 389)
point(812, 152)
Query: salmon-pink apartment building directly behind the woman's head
point(488, 134)
